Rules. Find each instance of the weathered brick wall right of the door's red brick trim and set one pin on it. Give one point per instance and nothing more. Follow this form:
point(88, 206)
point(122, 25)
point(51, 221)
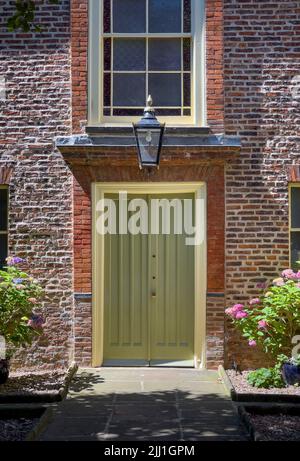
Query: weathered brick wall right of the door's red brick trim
point(262, 105)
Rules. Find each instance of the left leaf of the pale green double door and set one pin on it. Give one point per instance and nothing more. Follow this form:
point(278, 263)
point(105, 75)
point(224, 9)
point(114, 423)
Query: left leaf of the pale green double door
point(126, 296)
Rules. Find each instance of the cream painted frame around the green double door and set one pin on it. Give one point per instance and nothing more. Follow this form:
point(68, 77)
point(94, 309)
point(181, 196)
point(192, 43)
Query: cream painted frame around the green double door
point(98, 192)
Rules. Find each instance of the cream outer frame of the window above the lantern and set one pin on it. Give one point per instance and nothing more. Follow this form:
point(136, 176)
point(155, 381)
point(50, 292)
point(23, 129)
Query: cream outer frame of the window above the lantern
point(95, 71)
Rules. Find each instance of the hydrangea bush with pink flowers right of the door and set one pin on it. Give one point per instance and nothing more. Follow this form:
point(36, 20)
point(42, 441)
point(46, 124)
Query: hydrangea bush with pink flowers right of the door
point(272, 319)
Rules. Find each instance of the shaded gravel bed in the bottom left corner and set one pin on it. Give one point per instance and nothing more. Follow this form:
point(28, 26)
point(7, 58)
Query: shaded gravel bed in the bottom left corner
point(16, 429)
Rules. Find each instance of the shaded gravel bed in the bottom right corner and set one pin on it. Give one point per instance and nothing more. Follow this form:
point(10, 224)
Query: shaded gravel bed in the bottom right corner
point(277, 427)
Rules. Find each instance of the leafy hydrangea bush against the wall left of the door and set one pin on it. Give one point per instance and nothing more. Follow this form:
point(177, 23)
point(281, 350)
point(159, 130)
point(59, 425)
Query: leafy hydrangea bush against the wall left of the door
point(19, 294)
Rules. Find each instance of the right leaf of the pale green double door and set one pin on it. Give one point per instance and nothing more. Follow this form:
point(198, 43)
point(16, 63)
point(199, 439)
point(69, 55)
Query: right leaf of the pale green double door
point(172, 310)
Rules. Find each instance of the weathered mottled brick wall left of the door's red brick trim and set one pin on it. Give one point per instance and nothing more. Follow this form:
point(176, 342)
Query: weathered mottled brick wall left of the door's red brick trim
point(37, 108)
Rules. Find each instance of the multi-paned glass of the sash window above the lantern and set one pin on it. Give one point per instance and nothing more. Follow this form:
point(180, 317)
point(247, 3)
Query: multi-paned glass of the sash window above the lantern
point(137, 63)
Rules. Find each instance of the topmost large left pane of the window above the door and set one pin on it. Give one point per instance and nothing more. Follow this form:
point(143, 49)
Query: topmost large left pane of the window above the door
point(129, 16)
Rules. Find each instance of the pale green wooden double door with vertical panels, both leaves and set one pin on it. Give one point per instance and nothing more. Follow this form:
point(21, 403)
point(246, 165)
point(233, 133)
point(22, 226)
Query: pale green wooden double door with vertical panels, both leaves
point(149, 295)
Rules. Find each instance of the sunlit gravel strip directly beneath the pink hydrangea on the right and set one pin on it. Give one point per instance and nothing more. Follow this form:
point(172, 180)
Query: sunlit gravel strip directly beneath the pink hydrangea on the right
point(241, 385)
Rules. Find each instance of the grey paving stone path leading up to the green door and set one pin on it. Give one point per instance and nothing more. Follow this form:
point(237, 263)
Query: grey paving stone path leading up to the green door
point(145, 404)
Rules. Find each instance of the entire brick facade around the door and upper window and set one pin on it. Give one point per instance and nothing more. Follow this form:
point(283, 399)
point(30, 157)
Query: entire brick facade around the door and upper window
point(251, 65)
